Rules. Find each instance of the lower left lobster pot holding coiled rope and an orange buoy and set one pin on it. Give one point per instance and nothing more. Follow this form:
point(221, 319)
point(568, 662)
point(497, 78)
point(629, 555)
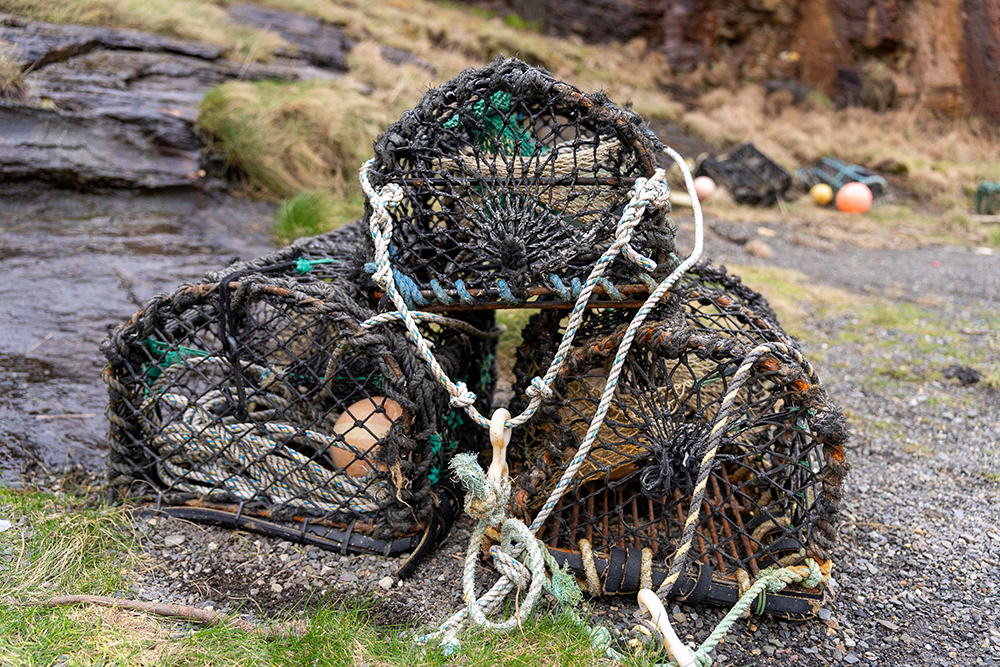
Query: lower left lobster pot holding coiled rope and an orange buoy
point(261, 401)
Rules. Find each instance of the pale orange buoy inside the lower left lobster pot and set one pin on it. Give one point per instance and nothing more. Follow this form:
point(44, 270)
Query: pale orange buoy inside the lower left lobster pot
point(362, 426)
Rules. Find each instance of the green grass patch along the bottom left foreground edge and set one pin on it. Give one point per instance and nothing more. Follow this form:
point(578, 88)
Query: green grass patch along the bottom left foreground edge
point(62, 545)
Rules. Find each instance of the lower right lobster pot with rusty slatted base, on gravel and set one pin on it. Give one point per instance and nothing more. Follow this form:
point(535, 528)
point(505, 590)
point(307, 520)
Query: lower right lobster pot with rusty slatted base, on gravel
point(771, 497)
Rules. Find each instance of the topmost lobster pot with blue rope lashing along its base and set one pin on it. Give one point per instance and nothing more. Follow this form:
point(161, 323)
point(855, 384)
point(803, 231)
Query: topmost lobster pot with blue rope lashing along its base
point(513, 184)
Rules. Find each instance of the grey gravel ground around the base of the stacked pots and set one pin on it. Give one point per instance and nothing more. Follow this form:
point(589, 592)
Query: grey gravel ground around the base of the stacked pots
point(917, 573)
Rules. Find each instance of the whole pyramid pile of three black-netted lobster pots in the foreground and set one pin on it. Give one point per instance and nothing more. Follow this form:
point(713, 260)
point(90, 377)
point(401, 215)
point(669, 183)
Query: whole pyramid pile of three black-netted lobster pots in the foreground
point(321, 391)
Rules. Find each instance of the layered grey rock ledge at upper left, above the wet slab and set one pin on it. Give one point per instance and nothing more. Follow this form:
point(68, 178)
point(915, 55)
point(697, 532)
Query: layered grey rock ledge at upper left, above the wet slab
point(117, 108)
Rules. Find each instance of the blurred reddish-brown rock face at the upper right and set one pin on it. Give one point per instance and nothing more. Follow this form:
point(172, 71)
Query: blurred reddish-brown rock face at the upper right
point(943, 54)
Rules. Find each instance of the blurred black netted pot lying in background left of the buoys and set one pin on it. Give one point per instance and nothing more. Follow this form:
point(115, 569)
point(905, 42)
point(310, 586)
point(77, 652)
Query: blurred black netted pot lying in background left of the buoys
point(750, 176)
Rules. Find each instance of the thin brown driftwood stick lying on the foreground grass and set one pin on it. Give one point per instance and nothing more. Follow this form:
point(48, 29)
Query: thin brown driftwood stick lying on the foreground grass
point(206, 617)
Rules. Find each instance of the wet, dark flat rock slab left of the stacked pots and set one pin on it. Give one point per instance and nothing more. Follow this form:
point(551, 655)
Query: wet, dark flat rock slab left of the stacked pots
point(74, 265)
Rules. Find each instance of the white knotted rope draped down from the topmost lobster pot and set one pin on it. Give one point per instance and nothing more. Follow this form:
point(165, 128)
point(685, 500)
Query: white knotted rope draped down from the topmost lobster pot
point(646, 192)
